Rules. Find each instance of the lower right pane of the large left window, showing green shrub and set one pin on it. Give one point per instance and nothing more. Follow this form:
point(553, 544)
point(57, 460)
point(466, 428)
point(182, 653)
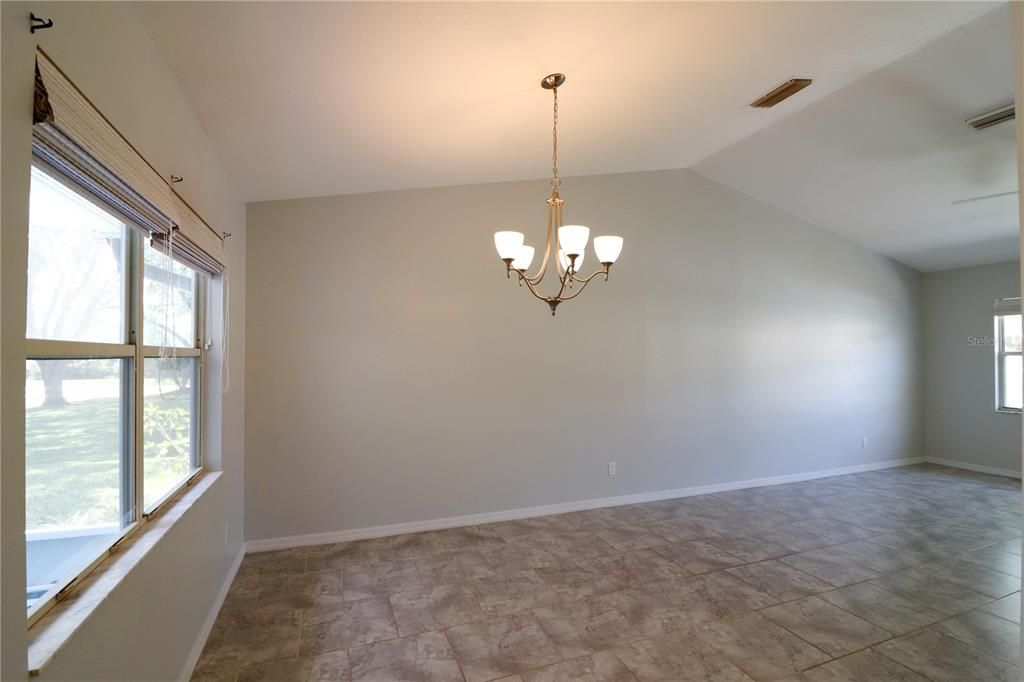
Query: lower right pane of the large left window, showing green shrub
point(168, 424)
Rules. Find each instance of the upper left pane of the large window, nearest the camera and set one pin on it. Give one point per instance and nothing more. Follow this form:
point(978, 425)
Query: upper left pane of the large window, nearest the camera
point(76, 267)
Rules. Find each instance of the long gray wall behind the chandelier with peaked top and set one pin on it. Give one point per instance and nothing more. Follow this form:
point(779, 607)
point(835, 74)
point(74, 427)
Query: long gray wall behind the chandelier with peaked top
point(396, 375)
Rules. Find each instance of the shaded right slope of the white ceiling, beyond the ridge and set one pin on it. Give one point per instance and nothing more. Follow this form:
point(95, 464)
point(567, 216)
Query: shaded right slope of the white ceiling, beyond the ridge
point(882, 160)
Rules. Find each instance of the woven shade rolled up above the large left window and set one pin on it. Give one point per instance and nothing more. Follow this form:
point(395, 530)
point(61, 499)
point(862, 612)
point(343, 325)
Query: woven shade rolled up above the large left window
point(71, 136)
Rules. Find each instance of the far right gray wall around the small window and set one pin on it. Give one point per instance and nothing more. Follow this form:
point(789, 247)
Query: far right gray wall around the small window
point(961, 422)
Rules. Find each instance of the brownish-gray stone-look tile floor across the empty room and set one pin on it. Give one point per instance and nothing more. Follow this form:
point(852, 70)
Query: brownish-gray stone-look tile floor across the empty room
point(909, 575)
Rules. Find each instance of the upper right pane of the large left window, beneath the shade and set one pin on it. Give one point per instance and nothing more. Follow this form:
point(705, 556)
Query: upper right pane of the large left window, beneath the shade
point(168, 303)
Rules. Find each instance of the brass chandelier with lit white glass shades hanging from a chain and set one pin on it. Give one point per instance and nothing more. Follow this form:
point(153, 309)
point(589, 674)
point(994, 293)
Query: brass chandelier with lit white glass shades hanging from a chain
point(566, 244)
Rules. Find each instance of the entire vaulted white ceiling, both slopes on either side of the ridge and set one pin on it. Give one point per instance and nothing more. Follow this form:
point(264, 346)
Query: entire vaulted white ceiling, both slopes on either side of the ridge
point(306, 100)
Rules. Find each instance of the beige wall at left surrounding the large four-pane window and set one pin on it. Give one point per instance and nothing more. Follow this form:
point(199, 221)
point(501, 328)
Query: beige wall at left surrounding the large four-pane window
point(150, 625)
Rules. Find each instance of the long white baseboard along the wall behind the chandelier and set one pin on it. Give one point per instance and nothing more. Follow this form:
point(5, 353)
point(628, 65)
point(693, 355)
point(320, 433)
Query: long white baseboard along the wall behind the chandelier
point(547, 510)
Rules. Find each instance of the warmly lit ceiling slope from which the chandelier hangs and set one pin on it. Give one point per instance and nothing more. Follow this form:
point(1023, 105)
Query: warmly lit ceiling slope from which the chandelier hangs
point(308, 100)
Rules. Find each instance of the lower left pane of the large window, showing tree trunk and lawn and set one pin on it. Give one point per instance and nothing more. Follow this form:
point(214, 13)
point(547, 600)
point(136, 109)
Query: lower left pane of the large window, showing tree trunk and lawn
point(76, 461)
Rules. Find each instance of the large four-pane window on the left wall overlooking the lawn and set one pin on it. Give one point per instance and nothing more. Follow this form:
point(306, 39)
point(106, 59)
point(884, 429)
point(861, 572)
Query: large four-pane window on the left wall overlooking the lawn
point(113, 375)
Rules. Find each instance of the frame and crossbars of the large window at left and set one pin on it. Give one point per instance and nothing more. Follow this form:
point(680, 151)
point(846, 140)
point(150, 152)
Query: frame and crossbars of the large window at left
point(135, 353)
